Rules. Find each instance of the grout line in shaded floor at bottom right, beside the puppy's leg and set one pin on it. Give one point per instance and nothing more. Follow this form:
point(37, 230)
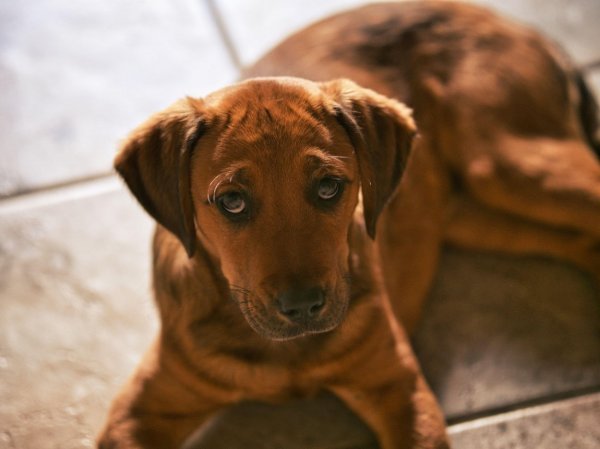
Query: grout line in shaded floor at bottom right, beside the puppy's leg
point(494, 414)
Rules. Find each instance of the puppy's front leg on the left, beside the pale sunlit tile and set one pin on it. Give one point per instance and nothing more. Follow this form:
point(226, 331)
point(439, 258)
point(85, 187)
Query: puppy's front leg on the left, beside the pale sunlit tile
point(155, 409)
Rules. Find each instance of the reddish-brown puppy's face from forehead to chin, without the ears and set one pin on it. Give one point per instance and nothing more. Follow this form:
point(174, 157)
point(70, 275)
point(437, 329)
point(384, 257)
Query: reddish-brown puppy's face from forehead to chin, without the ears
point(274, 184)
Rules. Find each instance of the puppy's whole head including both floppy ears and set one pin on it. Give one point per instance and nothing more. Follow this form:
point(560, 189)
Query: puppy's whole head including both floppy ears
point(265, 175)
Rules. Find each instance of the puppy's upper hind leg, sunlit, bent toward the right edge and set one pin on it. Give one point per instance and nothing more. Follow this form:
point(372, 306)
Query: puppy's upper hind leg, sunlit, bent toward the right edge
point(552, 181)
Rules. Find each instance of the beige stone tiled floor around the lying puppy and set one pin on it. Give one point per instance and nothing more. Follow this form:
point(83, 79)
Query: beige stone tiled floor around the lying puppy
point(75, 309)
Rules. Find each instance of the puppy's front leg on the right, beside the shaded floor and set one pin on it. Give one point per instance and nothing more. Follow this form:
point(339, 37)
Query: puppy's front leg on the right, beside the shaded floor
point(387, 390)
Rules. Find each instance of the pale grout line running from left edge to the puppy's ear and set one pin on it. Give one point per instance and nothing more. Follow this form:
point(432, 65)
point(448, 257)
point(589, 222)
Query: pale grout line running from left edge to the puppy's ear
point(60, 193)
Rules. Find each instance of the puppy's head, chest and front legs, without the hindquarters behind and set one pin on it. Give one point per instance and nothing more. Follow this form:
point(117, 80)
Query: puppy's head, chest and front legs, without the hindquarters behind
point(267, 283)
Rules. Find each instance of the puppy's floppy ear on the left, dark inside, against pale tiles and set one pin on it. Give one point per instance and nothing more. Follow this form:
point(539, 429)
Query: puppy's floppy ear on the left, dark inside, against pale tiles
point(154, 161)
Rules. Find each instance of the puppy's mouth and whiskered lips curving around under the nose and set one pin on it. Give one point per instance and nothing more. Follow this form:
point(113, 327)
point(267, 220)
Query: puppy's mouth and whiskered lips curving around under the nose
point(269, 321)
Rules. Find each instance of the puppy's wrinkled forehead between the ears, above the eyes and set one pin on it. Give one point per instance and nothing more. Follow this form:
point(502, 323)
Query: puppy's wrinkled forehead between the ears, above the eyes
point(277, 125)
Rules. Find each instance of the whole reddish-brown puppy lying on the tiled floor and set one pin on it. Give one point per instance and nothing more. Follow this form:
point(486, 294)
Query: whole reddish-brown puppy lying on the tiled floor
point(268, 194)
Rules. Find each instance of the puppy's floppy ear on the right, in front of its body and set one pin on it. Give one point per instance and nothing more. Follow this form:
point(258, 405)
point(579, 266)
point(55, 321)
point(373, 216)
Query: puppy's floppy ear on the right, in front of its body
point(381, 130)
